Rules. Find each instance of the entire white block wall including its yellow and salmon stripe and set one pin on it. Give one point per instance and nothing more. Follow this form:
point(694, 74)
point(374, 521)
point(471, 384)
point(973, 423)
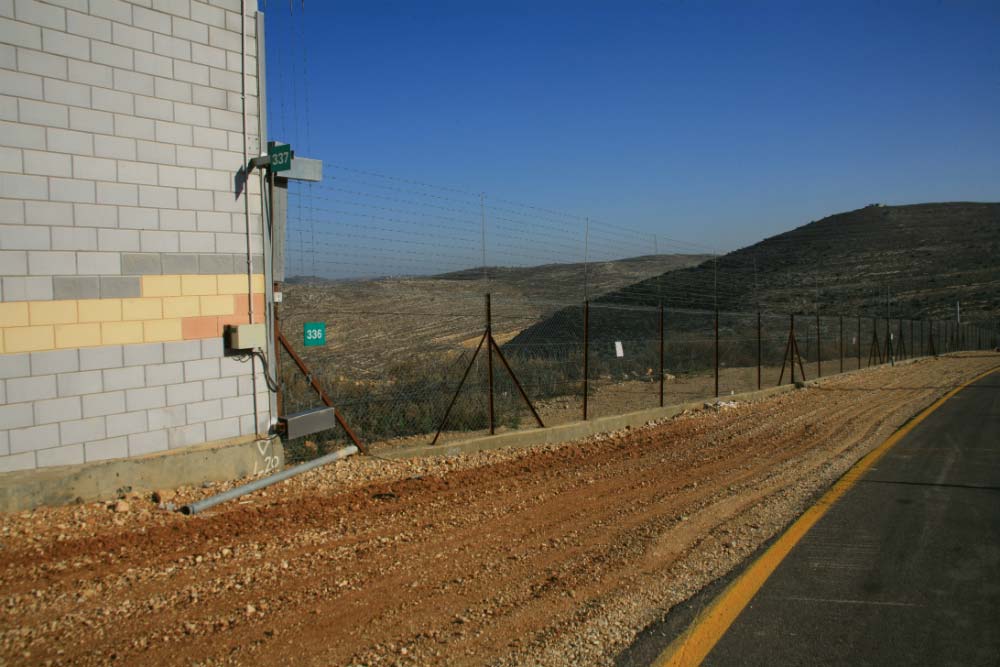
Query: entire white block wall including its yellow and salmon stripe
point(123, 236)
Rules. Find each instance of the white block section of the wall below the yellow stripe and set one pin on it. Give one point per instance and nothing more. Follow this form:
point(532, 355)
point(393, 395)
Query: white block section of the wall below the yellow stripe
point(120, 401)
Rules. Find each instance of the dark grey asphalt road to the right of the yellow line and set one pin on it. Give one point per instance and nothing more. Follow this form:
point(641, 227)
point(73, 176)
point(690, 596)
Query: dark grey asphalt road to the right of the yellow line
point(903, 570)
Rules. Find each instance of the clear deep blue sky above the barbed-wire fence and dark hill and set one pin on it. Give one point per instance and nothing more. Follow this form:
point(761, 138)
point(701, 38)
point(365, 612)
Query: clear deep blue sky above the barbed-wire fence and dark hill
point(717, 123)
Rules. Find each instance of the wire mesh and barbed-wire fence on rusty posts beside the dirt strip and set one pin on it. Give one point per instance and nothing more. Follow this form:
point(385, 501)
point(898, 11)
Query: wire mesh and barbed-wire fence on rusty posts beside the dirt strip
point(582, 312)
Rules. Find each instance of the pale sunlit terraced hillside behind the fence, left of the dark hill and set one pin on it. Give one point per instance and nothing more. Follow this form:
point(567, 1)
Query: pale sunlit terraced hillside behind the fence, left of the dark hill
point(375, 324)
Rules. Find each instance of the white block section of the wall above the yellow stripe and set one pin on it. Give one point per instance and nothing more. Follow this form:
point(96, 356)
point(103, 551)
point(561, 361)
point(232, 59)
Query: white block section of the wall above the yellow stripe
point(153, 91)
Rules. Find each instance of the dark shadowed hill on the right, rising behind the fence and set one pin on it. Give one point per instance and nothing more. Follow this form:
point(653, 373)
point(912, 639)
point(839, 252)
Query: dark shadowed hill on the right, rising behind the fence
point(913, 261)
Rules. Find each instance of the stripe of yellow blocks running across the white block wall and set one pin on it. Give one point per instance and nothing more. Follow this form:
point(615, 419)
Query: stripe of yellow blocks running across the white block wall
point(156, 316)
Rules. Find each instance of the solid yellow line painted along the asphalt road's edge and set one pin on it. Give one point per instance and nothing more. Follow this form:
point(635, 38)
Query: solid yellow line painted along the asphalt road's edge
point(694, 645)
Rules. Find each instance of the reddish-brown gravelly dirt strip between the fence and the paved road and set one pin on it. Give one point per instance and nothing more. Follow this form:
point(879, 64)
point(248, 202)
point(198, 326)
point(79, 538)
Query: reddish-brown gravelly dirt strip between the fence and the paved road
point(551, 555)
